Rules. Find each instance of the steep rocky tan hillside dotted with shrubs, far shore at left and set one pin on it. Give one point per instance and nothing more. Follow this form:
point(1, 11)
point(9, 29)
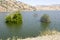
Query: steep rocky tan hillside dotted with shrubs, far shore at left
point(13, 5)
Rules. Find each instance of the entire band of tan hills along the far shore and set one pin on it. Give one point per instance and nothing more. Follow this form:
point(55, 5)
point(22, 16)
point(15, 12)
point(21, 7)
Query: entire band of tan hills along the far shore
point(13, 5)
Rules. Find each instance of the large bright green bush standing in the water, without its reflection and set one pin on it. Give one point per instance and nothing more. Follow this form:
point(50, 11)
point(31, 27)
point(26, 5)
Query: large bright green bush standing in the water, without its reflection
point(14, 18)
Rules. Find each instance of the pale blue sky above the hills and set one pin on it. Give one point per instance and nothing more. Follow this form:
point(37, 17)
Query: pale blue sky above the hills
point(40, 2)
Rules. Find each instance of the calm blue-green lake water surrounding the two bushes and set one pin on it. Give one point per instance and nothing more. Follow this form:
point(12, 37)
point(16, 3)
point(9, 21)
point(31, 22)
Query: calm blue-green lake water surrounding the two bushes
point(31, 26)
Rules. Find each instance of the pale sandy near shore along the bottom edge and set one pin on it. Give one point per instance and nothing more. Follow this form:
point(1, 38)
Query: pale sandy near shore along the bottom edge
point(54, 36)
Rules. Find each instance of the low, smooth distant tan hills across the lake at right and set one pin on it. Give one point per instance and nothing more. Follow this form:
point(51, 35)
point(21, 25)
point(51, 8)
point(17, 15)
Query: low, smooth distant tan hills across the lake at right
point(48, 7)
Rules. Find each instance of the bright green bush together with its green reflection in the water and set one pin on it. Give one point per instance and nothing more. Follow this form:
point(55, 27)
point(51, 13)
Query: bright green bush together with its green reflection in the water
point(14, 22)
